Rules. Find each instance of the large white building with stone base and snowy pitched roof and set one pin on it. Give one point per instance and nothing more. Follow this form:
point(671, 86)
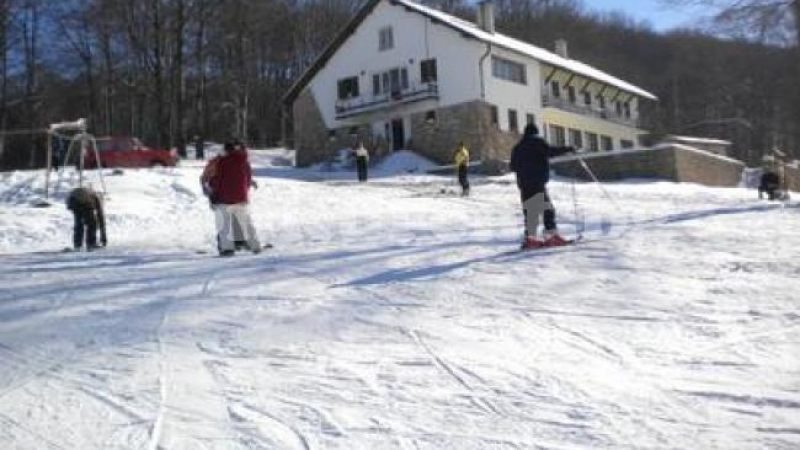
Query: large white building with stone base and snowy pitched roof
point(403, 75)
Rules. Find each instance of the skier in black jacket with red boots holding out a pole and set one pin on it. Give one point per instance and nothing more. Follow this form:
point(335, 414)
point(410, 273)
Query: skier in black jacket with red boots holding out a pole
point(530, 160)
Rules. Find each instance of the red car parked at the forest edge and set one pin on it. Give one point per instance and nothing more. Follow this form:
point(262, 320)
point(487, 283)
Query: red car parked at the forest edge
point(129, 152)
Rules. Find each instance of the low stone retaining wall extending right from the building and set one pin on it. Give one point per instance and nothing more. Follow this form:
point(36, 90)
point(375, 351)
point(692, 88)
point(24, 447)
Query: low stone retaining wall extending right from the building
point(664, 162)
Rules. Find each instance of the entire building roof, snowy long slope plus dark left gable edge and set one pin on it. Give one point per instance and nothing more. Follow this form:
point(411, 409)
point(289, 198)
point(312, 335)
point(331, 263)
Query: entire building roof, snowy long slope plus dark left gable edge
point(470, 29)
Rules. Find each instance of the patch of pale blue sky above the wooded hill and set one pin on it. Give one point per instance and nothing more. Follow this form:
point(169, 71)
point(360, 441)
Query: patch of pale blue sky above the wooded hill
point(653, 11)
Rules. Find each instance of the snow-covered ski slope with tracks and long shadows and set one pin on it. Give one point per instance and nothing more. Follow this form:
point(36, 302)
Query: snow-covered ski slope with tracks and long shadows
point(390, 316)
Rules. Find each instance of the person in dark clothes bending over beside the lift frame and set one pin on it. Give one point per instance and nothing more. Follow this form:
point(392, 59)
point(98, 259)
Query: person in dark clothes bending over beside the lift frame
point(87, 209)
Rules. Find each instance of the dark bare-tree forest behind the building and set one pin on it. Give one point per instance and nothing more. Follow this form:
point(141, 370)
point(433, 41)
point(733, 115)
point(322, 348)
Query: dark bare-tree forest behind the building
point(169, 70)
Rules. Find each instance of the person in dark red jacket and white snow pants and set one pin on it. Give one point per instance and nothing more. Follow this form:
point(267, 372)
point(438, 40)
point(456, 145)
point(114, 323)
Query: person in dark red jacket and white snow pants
point(229, 183)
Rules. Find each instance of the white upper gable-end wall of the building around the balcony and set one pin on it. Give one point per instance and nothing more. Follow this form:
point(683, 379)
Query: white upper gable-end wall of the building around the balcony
point(415, 38)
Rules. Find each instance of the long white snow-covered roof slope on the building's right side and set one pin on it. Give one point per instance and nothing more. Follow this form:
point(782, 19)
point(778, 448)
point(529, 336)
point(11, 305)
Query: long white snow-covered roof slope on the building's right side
point(526, 49)
